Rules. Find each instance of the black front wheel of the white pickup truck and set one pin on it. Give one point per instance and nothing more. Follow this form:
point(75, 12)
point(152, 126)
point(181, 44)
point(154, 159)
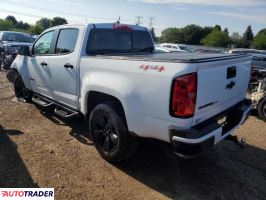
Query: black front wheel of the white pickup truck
point(21, 92)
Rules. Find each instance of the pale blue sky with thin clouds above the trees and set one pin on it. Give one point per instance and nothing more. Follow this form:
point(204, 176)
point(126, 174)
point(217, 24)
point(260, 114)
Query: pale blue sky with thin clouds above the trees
point(236, 15)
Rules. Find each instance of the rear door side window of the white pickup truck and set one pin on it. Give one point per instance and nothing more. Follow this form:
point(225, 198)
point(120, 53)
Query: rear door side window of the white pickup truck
point(66, 41)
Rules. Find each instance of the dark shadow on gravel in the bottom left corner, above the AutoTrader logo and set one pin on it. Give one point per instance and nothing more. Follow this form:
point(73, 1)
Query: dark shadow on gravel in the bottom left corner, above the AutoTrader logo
point(13, 172)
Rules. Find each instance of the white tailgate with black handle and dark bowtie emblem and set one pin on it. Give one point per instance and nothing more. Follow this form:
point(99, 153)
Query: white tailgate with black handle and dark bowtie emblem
point(221, 84)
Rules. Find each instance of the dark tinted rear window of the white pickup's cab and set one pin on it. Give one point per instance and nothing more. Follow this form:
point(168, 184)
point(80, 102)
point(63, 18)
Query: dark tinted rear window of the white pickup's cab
point(102, 41)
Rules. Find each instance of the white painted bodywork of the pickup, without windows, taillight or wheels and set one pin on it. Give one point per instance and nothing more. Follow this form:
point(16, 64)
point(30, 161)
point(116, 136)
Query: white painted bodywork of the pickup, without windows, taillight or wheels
point(144, 94)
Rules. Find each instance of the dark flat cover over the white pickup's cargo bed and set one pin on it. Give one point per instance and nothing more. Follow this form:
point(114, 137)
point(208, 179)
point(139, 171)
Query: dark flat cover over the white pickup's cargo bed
point(174, 57)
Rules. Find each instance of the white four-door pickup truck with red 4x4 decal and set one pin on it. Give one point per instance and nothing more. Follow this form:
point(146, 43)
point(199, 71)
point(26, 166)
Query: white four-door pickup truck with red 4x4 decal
point(110, 74)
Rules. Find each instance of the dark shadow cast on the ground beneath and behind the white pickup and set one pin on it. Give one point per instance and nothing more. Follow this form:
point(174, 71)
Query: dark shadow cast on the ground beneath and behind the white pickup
point(224, 172)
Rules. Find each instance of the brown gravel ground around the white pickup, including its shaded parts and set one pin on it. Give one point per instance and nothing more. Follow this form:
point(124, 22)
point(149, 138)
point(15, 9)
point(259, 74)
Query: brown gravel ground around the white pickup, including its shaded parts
point(39, 150)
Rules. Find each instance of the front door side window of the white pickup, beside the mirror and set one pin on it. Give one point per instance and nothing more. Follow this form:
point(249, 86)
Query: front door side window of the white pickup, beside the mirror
point(43, 44)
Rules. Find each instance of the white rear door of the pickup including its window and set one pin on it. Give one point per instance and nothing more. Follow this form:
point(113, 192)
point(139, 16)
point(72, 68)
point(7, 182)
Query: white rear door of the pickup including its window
point(63, 66)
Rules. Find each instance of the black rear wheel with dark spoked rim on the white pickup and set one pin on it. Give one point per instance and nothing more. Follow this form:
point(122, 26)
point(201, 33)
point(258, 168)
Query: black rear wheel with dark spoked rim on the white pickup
point(110, 134)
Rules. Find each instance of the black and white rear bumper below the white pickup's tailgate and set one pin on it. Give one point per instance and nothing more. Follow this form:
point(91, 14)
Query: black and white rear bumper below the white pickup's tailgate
point(189, 143)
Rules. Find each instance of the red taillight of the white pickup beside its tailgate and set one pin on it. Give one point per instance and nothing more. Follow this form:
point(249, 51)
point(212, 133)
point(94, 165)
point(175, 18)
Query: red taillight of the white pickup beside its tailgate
point(183, 96)
